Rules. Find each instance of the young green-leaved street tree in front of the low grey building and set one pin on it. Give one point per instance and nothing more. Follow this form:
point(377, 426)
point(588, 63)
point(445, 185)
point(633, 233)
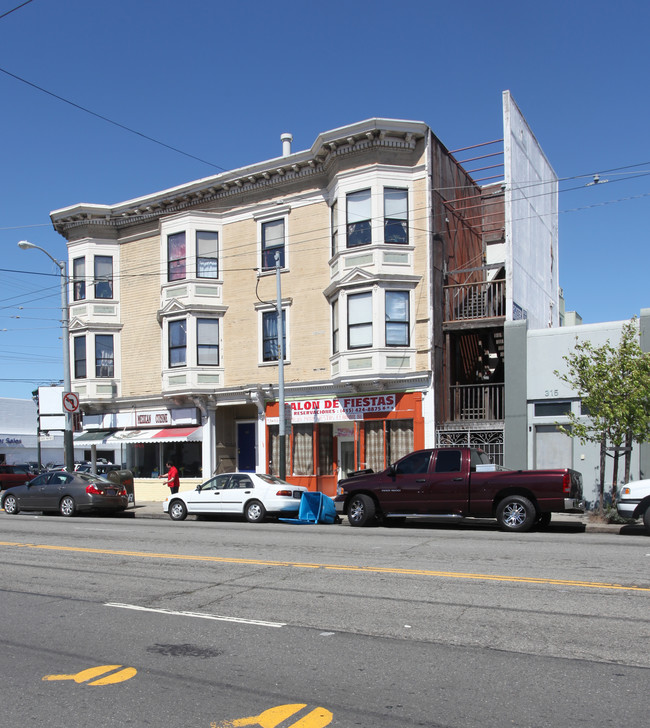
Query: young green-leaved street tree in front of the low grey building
point(614, 385)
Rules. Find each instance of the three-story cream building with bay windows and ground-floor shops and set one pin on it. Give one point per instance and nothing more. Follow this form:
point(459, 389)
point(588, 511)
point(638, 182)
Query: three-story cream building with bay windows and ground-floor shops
point(394, 268)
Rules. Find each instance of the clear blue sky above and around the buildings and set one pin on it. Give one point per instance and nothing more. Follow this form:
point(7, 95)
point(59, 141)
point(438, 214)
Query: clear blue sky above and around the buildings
point(223, 80)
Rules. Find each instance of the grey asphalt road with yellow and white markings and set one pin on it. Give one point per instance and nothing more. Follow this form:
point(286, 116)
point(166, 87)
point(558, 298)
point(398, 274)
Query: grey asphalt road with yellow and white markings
point(212, 624)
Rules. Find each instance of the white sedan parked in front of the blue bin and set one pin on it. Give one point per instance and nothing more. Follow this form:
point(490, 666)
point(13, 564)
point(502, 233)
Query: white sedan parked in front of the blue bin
point(253, 495)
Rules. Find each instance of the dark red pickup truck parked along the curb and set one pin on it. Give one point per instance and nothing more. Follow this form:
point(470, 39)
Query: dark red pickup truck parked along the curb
point(456, 483)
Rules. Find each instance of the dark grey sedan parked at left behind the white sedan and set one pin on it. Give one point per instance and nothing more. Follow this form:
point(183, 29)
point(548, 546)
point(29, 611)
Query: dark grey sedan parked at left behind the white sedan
point(68, 493)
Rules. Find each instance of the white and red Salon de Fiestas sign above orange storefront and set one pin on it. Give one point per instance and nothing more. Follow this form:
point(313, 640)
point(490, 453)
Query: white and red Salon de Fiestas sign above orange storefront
point(338, 409)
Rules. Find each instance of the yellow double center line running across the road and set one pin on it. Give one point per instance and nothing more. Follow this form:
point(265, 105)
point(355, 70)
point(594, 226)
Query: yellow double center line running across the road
point(333, 567)
